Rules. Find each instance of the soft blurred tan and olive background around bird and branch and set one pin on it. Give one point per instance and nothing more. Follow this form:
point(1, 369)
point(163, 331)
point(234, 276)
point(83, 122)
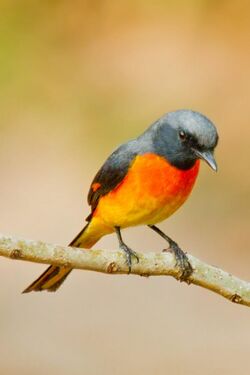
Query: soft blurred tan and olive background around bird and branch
point(77, 78)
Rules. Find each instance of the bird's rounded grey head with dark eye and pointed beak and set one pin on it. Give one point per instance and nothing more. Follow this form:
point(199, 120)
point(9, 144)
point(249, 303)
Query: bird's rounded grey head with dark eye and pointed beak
point(183, 137)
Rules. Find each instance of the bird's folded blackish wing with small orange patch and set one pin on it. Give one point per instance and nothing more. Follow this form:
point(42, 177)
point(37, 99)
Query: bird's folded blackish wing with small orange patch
point(111, 173)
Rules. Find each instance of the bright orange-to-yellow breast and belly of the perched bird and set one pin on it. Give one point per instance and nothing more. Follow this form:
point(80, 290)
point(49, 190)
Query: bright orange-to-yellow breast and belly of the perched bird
point(151, 191)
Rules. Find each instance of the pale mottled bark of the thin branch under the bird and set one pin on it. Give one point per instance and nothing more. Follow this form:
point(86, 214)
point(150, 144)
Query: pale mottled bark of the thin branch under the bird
point(113, 262)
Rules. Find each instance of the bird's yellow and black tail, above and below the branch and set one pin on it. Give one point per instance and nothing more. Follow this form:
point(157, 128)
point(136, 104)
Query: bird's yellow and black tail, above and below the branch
point(54, 276)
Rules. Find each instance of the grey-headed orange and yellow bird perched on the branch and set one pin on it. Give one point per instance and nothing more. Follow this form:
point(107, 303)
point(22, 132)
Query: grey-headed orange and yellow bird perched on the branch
point(143, 182)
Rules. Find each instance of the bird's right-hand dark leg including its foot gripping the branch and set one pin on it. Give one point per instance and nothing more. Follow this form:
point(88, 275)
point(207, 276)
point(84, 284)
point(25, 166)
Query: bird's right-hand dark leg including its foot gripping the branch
point(181, 258)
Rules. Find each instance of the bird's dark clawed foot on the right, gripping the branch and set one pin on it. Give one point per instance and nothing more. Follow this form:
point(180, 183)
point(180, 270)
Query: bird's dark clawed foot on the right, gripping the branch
point(182, 261)
